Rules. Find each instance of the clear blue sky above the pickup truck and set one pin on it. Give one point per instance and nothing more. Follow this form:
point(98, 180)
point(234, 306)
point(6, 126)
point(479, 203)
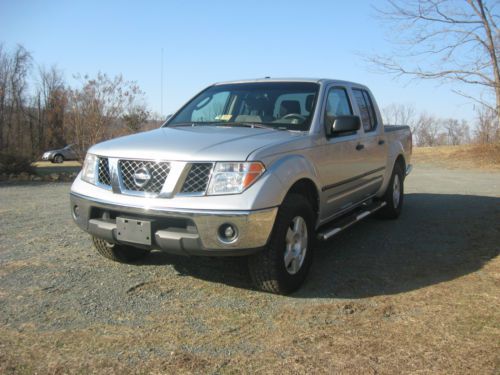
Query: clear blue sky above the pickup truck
point(208, 41)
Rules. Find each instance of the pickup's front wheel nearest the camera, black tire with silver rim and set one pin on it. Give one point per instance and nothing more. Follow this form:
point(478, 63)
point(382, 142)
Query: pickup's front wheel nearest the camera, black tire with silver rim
point(268, 268)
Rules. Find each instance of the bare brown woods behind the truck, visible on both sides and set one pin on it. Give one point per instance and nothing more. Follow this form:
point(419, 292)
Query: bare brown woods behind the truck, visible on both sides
point(40, 111)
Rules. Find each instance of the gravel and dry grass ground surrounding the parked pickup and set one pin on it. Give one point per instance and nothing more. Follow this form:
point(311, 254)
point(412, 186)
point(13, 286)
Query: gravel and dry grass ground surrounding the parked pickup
point(416, 295)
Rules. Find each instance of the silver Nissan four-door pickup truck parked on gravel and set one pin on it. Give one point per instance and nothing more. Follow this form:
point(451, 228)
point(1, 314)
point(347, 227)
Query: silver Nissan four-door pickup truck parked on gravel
point(261, 168)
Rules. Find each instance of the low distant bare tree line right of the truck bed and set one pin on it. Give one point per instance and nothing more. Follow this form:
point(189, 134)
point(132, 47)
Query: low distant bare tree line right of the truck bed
point(429, 130)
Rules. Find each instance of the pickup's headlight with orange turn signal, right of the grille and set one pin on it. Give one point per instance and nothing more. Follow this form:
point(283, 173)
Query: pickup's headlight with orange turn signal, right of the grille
point(234, 177)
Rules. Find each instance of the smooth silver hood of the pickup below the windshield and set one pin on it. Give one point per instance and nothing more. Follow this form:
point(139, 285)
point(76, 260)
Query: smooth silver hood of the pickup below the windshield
point(199, 143)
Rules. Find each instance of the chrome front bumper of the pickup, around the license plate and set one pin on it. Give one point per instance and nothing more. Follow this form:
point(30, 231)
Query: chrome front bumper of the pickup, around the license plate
point(187, 232)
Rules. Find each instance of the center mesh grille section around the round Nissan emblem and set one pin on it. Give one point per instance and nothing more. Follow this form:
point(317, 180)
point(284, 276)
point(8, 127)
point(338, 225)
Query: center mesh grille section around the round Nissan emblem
point(158, 171)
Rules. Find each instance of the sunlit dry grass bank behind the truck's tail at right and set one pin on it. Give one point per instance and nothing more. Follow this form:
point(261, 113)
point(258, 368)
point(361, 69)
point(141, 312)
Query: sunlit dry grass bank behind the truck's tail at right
point(485, 157)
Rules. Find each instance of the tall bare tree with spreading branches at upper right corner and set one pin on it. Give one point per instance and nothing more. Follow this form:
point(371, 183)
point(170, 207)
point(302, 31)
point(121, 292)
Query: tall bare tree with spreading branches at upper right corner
point(447, 40)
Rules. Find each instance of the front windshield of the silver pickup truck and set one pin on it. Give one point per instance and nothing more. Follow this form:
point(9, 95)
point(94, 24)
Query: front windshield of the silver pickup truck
point(280, 105)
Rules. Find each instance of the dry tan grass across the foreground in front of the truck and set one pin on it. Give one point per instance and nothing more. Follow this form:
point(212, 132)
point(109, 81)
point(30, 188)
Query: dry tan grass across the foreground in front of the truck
point(452, 327)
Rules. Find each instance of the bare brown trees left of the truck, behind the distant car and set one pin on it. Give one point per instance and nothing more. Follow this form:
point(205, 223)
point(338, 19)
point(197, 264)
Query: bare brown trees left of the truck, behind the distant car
point(40, 111)
